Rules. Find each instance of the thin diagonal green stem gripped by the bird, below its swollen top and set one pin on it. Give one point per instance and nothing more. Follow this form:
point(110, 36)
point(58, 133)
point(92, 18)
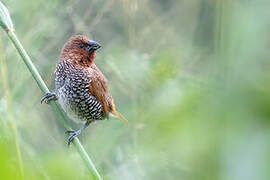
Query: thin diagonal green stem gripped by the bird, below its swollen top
point(41, 84)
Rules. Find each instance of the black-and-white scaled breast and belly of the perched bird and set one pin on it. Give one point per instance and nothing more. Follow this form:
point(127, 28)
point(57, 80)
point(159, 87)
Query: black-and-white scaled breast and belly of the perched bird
point(72, 90)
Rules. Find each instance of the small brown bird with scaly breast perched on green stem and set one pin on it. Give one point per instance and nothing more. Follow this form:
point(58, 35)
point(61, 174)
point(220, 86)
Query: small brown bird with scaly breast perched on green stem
point(81, 89)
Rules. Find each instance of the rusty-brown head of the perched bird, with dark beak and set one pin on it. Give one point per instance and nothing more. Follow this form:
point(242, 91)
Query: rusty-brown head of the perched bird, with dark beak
point(79, 50)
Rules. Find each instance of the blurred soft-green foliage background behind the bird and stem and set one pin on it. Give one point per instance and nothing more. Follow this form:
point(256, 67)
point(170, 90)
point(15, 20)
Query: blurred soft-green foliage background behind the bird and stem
point(192, 77)
